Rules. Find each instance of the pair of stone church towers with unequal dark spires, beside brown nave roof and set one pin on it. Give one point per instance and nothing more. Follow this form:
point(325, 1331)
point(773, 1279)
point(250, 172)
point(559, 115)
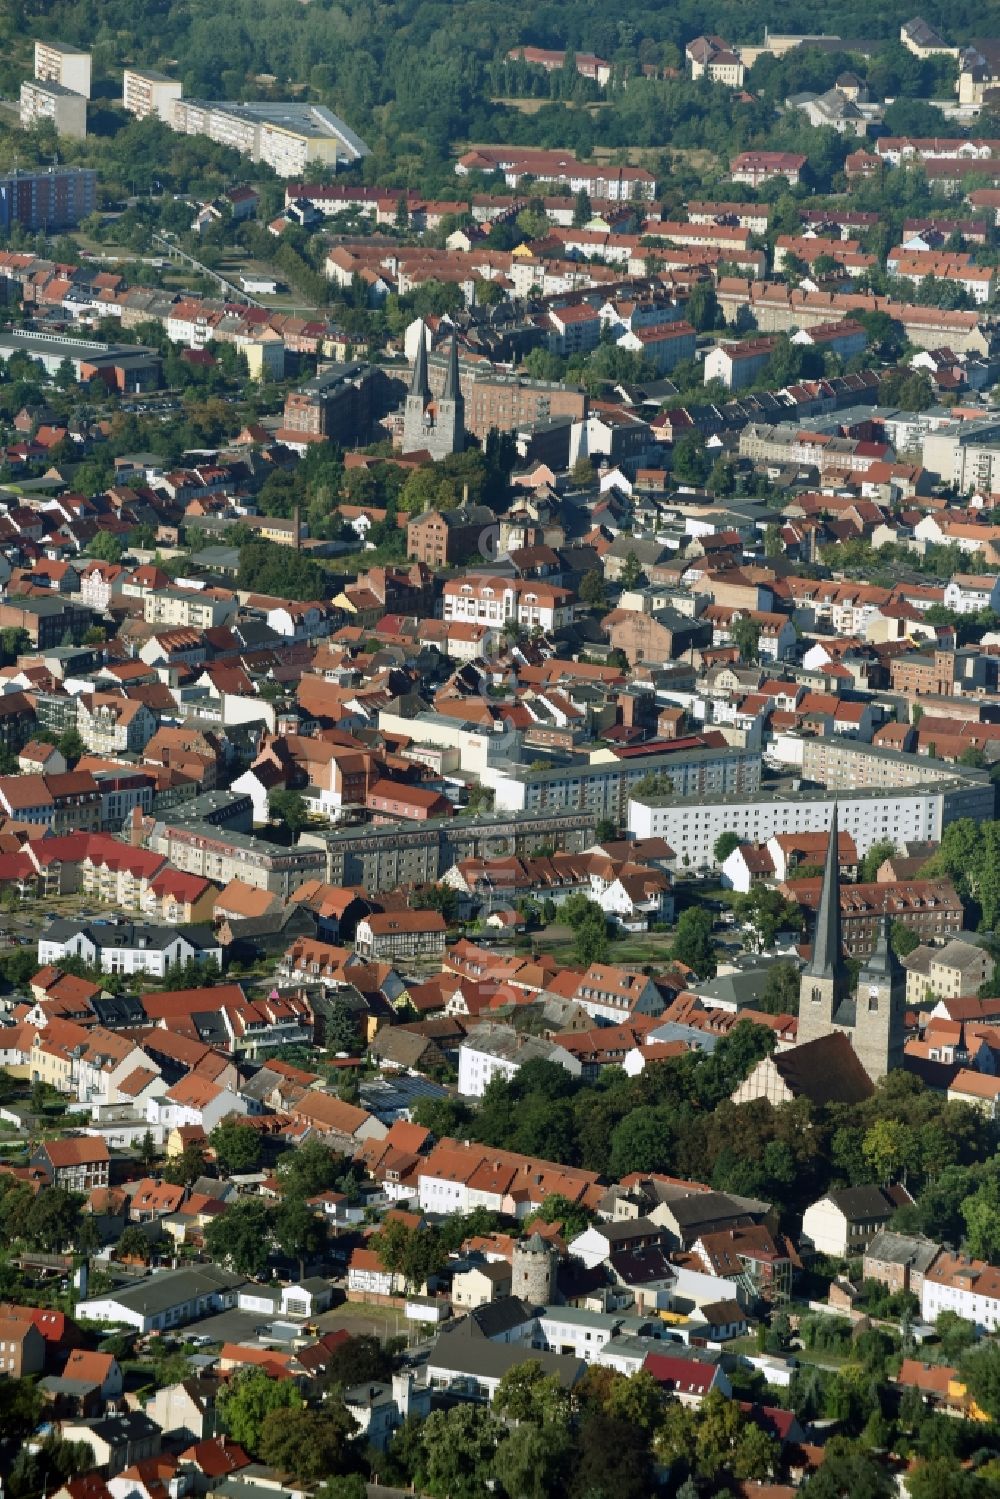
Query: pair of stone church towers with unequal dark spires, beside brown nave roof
point(873, 1017)
